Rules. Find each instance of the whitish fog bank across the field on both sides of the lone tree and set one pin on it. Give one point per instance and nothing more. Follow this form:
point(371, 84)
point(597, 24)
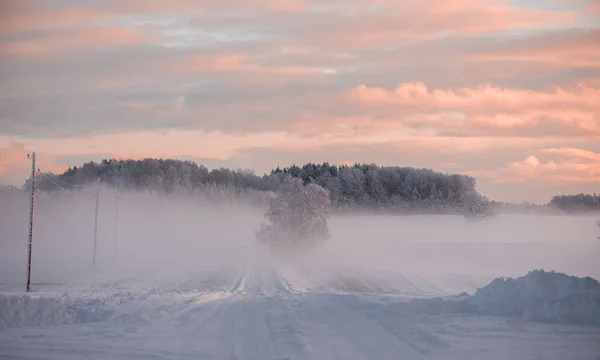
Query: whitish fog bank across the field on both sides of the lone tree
point(175, 234)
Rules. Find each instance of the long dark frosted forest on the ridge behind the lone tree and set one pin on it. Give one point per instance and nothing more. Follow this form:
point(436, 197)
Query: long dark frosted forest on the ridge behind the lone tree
point(350, 187)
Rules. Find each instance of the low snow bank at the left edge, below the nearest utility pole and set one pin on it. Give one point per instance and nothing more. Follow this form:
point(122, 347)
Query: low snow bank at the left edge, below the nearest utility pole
point(25, 310)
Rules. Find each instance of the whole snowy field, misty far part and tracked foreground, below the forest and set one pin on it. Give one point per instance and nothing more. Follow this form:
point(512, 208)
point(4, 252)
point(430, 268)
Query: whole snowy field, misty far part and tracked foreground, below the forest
point(188, 282)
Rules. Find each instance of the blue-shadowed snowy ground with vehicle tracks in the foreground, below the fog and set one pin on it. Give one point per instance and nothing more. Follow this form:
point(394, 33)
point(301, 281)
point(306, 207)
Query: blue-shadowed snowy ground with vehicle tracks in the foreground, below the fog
point(263, 312)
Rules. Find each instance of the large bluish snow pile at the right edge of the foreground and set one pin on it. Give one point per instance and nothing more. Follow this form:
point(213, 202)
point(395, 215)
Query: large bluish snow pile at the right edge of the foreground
point(541, 296)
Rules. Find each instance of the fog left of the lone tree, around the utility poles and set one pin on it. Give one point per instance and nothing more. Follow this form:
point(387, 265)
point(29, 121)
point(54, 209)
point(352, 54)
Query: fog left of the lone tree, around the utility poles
point(154, 231)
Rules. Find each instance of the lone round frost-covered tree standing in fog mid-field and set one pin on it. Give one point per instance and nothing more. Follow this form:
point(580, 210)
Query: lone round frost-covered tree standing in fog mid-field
point(297, 216)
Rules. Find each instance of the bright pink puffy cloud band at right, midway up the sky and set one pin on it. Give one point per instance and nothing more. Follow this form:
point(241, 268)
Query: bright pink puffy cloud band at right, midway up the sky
point(482, 111)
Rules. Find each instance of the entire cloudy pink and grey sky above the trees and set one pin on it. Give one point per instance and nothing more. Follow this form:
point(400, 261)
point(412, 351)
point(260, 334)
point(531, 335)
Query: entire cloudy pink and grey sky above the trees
point(505, 91)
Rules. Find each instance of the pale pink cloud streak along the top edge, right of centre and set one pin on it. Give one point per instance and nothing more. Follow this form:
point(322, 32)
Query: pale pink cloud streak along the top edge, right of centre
point(406, 23)
